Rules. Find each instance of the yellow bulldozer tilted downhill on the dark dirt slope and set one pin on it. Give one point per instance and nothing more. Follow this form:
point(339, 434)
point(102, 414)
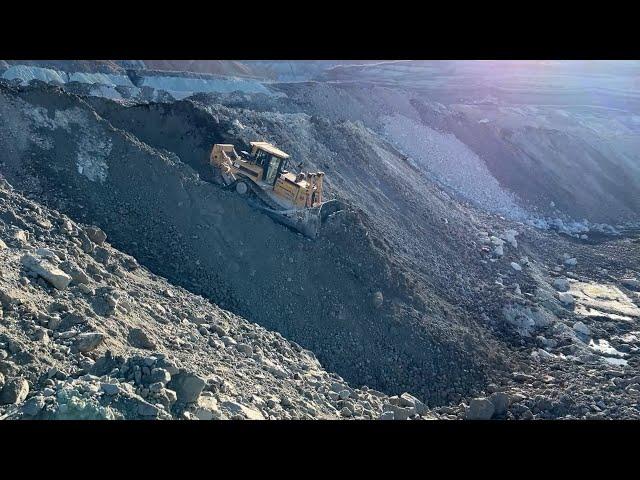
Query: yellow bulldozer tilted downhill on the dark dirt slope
point(264, 177)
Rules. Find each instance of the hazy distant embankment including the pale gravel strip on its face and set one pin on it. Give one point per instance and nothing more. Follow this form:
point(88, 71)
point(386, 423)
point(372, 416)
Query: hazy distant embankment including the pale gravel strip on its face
point(566, 155)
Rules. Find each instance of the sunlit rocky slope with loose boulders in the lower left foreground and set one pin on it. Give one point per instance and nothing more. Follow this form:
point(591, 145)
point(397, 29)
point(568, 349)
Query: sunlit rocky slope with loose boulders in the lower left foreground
point(87, 333)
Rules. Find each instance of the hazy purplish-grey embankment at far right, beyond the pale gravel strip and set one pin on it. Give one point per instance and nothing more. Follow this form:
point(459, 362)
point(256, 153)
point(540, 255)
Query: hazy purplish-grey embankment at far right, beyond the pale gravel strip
point(564, 161)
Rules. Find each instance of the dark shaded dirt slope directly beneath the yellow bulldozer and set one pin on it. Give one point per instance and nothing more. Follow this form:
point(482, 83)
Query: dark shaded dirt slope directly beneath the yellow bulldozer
point(153, 202)
